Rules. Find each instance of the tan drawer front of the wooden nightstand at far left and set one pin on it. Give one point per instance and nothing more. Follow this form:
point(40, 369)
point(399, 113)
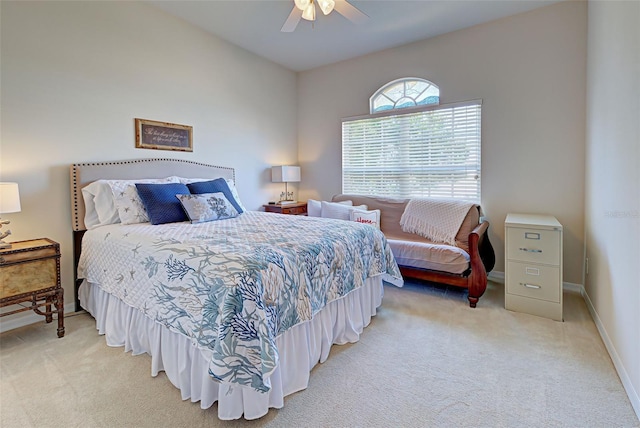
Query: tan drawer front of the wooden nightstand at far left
point(28, 277)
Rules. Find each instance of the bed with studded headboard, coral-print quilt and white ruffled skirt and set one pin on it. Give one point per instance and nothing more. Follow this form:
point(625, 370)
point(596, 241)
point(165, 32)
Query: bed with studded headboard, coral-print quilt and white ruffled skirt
point(235, 311)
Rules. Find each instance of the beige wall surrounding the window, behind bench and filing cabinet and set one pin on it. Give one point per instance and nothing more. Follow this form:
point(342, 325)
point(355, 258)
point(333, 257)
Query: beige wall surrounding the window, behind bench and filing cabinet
point(528, 69)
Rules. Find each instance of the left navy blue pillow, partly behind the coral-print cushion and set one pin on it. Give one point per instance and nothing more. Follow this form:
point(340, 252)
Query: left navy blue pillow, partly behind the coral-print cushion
point(161, 203)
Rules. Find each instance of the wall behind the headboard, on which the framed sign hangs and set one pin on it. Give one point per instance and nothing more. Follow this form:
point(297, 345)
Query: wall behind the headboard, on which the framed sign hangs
point(74, 75)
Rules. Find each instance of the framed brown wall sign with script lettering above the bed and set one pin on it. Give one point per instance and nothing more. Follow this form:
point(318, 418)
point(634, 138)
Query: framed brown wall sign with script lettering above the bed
point(151, 134)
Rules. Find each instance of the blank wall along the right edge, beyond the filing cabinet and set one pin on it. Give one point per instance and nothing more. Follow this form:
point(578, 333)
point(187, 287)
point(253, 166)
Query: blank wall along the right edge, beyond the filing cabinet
point(613, 184)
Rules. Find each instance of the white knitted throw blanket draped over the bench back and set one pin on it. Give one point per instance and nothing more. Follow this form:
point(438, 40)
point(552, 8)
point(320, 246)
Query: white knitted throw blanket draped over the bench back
point(436, 219)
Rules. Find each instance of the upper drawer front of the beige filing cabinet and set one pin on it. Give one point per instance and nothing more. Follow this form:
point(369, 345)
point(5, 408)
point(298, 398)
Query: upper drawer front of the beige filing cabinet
point(533, 245)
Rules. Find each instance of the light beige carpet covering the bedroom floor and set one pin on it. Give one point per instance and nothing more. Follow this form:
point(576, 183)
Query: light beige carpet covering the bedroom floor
point(426, 360)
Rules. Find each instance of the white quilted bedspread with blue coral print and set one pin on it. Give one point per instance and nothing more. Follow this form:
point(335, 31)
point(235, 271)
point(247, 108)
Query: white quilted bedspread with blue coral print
point(234, 285)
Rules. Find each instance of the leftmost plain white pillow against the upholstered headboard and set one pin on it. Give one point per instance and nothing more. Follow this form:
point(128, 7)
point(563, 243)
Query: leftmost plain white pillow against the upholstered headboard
point(99, 205)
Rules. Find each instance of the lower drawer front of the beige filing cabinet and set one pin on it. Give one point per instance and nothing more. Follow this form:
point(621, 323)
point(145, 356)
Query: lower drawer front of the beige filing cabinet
point(534, 281)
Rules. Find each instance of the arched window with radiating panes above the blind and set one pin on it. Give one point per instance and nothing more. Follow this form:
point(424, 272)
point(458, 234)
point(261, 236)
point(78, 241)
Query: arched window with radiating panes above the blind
point(403, 93)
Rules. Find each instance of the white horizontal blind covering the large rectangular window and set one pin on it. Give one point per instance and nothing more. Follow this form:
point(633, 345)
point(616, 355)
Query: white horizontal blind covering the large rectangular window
point(434, 152)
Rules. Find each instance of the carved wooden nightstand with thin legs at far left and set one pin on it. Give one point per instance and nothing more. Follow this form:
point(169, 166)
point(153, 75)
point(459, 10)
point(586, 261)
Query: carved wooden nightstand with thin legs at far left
point(30, 272)
